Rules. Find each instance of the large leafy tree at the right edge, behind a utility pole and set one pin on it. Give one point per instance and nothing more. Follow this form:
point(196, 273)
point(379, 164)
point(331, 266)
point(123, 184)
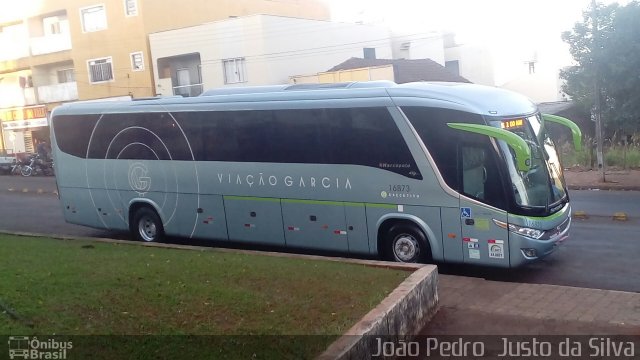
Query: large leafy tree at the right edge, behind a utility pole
point(614, 58)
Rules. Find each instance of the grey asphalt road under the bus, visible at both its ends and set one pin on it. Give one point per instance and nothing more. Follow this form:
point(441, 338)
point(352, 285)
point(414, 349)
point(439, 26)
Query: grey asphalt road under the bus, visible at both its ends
point(601, 253)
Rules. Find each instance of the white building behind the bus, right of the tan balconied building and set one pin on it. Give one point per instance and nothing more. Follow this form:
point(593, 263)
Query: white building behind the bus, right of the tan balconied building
point(257, 50)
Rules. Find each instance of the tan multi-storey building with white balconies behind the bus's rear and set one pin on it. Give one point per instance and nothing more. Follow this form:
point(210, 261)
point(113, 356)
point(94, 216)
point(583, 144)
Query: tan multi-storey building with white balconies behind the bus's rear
point(56, 51)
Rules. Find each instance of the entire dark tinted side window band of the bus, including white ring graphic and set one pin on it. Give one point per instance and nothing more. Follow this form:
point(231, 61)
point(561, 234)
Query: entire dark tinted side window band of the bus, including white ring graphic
point(357, 136)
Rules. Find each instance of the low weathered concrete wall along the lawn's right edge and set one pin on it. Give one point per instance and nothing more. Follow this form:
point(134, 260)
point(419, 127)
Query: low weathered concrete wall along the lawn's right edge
point(417, 296)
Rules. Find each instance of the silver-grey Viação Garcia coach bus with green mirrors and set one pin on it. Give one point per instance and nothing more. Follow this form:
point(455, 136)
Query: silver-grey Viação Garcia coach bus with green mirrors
point(416, 172)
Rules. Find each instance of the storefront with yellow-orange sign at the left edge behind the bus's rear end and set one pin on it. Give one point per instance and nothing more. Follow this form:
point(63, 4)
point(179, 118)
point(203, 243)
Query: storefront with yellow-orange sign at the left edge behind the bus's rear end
point(22, 127)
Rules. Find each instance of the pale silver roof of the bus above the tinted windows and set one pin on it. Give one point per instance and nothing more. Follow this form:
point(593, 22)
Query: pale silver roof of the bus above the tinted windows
point(484, 100)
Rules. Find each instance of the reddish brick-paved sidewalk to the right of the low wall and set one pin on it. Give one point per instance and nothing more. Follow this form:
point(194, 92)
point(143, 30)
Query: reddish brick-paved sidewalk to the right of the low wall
point(473, 306)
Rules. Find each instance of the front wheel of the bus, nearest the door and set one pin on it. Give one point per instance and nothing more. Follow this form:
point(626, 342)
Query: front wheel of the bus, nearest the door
point(407, 243)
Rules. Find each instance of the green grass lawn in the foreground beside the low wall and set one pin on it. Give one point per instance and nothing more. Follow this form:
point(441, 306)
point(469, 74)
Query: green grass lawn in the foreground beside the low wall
point(59, 287)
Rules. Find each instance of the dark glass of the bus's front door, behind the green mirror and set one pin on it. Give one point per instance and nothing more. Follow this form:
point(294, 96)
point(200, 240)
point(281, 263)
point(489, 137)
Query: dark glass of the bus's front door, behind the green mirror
point(480, 174)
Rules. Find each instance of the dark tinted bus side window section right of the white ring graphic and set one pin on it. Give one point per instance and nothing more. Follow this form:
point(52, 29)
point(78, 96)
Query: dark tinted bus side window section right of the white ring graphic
point(359, 136)
